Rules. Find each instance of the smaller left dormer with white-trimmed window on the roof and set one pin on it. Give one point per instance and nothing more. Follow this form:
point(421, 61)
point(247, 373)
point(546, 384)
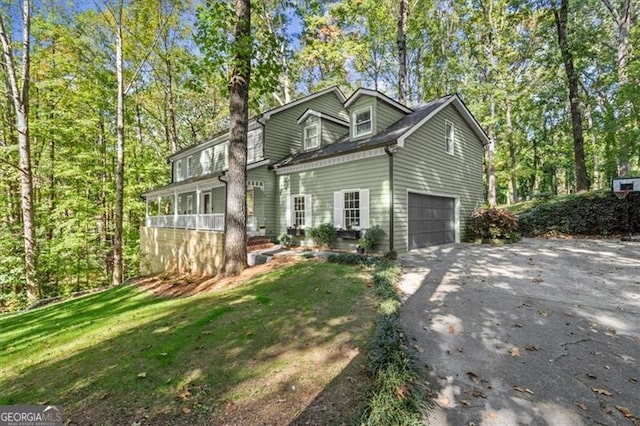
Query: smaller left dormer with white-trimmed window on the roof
point(320, 129)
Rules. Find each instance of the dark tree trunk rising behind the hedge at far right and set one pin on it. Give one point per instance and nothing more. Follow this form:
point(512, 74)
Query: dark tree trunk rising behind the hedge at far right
point(582, 181)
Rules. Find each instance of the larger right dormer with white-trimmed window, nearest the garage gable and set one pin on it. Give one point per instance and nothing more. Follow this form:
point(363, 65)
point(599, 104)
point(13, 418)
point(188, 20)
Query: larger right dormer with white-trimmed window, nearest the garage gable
point(370, 112)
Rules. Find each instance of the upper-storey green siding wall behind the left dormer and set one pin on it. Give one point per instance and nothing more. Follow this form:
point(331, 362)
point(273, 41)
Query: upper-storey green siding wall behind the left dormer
point(283, 136)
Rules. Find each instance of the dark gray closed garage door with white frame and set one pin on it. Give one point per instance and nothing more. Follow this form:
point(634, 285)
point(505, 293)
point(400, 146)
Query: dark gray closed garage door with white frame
point(432, 220)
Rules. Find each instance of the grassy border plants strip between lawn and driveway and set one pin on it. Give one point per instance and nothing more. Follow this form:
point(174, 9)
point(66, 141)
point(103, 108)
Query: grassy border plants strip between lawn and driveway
point(399, 395)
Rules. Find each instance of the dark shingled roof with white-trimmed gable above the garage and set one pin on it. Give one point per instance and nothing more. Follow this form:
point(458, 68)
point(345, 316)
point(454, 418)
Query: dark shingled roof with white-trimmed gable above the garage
point(395, 133)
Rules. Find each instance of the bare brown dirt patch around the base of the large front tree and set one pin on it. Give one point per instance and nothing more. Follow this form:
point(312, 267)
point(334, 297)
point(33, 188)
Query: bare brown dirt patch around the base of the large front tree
point(184, 285)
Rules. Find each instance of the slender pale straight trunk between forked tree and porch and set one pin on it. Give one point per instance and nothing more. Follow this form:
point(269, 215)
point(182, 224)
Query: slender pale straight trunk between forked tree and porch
point(117, 236)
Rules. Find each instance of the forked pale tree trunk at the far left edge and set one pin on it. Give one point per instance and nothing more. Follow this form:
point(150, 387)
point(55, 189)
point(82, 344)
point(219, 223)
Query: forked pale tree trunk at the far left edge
point(20, 97)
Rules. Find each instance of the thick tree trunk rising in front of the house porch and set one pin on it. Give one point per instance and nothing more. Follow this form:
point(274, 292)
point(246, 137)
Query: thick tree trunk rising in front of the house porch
point(235, 243)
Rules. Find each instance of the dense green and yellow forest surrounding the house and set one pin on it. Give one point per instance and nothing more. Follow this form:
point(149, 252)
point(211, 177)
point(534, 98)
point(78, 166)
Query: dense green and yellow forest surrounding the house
point(506, 58)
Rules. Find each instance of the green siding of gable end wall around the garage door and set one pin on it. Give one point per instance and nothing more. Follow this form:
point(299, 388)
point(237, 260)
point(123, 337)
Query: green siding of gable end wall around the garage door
point(424, 166)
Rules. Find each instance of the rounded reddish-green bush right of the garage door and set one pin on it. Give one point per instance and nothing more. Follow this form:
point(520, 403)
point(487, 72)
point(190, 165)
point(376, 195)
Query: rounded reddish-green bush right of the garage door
point(490, 225)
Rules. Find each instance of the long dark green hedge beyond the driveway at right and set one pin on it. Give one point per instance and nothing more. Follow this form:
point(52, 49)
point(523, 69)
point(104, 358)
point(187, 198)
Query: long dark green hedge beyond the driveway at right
point(593, 213)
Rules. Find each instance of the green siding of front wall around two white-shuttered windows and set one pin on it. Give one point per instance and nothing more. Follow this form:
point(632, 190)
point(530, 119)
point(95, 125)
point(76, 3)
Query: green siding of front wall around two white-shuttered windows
point(321, 183)
